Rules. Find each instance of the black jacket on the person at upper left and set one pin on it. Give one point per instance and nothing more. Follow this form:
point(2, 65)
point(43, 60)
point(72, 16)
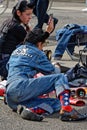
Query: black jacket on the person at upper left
point(14, 34)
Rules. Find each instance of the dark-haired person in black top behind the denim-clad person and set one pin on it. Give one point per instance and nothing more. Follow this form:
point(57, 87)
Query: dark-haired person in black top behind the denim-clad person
point(14, 32)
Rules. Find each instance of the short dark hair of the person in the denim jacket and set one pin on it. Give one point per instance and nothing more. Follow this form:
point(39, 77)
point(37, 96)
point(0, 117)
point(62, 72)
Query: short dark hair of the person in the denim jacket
point(35, 36)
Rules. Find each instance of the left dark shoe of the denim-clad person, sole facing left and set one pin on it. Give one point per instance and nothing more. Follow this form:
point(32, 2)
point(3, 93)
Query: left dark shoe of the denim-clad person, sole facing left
point(25, 113)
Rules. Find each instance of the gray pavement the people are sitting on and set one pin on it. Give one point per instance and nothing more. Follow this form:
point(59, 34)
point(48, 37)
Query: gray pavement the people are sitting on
point(66, 13)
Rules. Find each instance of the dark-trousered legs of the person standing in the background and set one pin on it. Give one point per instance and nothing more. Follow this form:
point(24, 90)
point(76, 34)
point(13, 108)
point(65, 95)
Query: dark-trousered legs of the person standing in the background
point(40, 10)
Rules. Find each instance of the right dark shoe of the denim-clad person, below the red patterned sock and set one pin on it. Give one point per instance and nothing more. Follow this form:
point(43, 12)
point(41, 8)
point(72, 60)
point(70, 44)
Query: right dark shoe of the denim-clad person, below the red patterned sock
point(71, 116)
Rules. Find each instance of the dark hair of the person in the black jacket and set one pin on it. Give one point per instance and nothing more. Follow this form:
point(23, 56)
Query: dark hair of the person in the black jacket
point(21, 6)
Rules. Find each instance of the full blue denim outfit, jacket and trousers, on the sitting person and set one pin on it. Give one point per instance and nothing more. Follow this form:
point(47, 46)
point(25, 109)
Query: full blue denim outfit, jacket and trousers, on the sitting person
point(26, 61)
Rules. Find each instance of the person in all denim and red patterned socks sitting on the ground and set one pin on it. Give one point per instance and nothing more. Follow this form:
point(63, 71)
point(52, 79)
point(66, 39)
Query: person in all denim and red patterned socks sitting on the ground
point(24, 91)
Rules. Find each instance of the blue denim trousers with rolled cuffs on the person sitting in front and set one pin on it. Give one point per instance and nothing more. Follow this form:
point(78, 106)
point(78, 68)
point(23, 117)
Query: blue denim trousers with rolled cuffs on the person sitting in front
point(25, 91)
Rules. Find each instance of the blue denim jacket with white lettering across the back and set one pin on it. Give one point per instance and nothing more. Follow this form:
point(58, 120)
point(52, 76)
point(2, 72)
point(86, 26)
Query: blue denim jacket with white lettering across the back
point(27, 60)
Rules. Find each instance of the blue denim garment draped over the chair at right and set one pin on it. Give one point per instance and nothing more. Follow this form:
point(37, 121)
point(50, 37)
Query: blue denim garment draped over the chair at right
point(64, 35)
